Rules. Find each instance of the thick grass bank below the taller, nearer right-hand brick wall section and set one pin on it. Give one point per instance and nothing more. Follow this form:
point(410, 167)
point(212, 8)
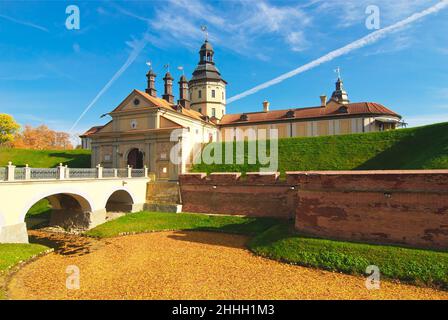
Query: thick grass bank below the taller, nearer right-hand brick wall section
point(421, 267)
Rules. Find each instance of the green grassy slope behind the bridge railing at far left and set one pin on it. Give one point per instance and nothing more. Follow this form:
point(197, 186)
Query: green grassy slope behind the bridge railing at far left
point(45, 158)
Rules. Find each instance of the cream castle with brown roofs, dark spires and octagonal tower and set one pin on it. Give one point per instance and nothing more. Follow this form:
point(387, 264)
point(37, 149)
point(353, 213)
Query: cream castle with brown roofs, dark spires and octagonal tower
point(139, 132)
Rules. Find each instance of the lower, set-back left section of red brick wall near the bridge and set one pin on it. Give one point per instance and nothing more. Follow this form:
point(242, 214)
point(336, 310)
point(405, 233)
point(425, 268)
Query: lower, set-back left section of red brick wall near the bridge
point(259, 195)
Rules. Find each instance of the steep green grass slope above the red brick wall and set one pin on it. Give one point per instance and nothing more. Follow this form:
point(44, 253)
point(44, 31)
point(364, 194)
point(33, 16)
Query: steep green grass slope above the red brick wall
point(415, 148)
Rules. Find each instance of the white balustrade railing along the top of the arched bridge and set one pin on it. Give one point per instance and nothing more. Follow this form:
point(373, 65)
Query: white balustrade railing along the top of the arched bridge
point(12, 173)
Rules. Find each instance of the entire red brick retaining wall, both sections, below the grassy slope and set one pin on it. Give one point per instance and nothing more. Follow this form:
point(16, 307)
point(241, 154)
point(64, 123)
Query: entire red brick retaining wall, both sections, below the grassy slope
point(392, 207)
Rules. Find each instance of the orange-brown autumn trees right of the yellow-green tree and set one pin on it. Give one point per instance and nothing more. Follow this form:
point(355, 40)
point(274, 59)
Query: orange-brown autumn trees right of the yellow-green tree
point(42, 138)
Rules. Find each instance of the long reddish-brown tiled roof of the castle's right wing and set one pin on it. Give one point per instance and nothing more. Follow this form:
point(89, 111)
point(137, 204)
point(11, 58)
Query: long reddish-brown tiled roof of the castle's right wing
point(331, 110)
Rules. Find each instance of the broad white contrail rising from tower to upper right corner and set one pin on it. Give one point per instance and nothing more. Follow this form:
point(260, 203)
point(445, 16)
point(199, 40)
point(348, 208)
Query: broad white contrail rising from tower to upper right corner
point(369, 39)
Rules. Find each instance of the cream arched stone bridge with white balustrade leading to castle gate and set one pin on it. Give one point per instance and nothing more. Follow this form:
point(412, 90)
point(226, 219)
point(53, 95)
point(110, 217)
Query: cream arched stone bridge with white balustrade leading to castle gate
point(80, 198)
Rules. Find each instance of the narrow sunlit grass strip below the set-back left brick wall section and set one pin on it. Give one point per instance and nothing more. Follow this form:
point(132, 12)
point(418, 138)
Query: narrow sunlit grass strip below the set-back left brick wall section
point(156, 221)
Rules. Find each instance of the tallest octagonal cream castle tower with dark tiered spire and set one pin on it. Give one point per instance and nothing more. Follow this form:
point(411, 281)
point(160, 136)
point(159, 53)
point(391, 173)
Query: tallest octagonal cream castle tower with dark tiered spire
point(207, 88)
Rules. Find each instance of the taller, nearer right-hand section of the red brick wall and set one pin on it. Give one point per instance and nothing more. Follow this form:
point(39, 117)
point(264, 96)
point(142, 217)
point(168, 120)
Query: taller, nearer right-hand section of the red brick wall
point(393, 207)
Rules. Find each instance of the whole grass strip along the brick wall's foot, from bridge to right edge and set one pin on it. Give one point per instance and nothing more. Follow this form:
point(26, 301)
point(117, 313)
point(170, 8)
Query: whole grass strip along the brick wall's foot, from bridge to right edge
point(277, 240)
